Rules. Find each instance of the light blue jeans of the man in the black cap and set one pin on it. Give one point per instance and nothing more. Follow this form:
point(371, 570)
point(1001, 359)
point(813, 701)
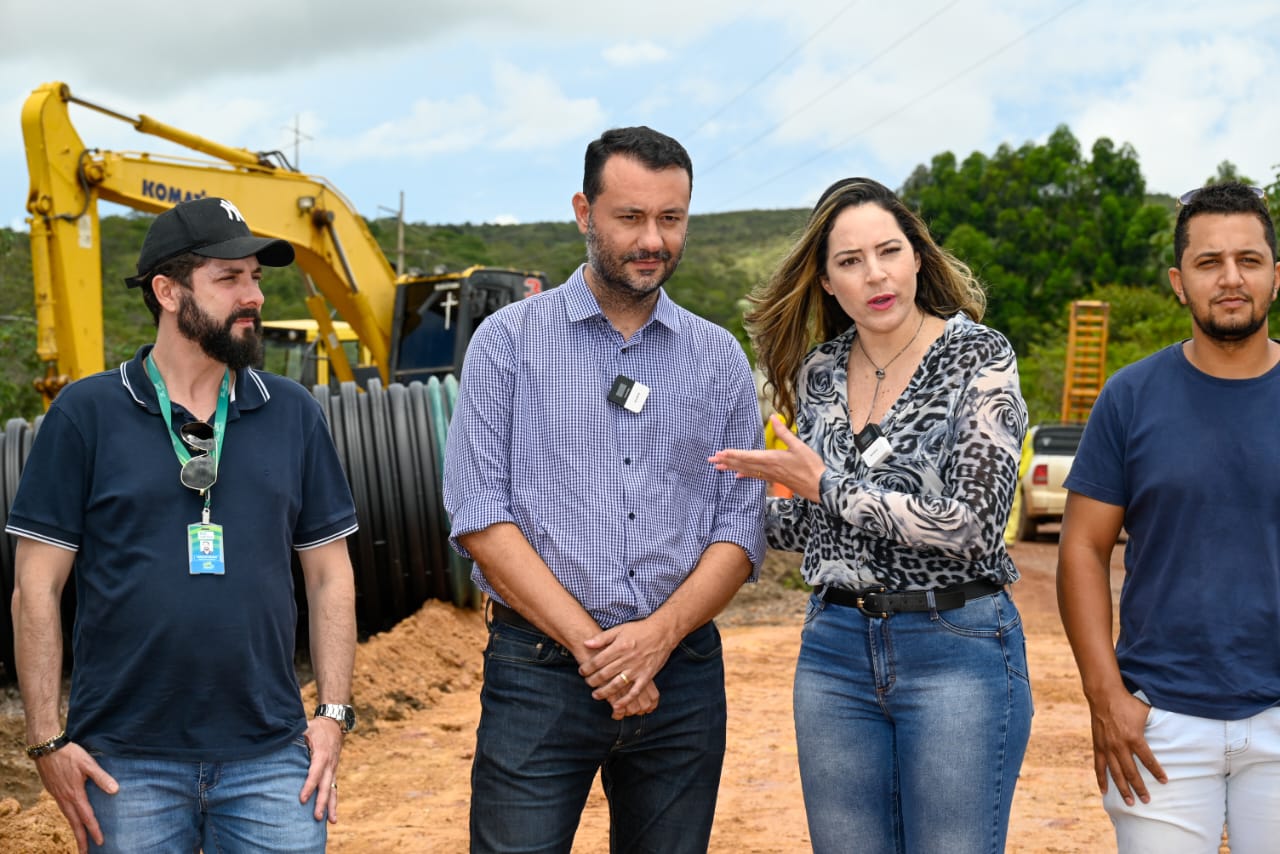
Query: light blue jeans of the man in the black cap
point(244, 806)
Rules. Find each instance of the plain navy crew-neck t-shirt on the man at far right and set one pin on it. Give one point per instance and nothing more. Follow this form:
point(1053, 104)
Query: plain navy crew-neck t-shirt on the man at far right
point(1195, 462)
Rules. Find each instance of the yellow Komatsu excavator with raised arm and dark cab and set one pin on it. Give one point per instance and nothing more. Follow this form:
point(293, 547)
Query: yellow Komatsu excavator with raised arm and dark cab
point(409, 327)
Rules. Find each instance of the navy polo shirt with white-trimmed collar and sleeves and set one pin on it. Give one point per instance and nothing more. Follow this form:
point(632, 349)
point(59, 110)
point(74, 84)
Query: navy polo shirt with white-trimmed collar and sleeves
point(168, 664)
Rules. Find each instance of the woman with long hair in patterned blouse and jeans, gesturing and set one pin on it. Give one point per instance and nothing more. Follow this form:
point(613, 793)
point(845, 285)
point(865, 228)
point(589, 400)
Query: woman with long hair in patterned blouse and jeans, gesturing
point(912, 697)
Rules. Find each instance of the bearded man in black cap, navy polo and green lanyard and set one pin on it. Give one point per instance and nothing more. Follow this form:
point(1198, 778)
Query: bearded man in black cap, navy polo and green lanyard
point(176, 488)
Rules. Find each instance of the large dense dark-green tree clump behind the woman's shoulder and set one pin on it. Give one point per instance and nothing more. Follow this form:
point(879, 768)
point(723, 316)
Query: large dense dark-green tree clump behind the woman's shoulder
point(1043, 225)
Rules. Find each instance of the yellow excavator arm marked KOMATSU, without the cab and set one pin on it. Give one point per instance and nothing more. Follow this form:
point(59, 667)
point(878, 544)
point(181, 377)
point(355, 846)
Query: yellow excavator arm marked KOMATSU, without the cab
point(335, 248)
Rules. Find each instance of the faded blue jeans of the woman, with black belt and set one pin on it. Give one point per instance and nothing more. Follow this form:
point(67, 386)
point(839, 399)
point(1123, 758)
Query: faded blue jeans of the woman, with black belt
point(912, 729)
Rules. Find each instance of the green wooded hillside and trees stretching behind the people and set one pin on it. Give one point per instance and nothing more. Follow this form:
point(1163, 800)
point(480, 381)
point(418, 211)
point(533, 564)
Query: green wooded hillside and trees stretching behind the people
point(1041, 225)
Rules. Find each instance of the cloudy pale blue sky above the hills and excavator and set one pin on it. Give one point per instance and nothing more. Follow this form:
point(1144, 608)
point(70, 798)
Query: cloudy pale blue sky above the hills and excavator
point(479, 111)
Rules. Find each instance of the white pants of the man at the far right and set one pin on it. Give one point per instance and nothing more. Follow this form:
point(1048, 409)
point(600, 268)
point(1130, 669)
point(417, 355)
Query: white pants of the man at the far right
point(1219, 771)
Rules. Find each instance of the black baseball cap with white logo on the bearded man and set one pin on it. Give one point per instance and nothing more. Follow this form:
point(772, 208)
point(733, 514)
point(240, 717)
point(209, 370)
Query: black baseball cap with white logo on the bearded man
point(211, 227)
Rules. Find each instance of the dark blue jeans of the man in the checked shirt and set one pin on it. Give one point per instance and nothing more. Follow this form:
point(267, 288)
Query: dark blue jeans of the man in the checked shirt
point(542, 739)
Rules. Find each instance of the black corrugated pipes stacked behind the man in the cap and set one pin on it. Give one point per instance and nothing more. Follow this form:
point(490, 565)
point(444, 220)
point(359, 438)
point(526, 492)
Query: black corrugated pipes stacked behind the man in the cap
point(391, 442)
